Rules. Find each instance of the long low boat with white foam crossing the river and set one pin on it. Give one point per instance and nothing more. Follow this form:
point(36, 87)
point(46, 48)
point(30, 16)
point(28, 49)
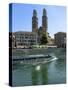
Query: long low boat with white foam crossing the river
point(32, 59)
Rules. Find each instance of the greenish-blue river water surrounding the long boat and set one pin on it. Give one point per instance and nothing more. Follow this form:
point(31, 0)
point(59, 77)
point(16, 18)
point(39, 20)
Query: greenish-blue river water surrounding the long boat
point(53, 72)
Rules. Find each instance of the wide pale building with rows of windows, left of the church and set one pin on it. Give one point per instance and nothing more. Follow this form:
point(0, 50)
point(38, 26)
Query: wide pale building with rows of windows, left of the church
point(25, 39)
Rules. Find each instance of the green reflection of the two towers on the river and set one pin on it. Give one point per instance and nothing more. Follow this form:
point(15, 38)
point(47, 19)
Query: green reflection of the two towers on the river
point(39, 77)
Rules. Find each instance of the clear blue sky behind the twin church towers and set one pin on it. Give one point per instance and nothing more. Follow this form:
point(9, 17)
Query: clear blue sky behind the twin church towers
point(22, 17)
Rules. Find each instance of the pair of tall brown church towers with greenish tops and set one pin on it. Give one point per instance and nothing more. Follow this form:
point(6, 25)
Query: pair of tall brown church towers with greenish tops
point(35, 21)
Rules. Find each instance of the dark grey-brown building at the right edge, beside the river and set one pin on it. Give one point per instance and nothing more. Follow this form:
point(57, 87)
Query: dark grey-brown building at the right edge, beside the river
point(60, 39)
